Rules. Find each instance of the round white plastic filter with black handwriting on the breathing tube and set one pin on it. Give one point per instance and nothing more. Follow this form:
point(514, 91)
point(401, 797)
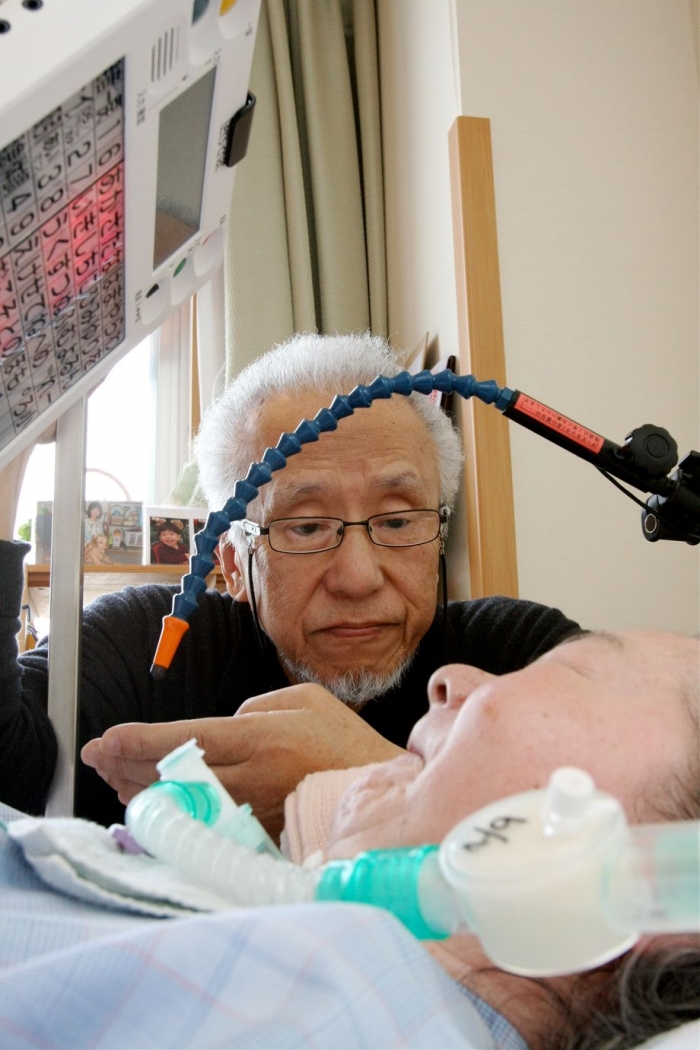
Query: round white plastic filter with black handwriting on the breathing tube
point(529, 872)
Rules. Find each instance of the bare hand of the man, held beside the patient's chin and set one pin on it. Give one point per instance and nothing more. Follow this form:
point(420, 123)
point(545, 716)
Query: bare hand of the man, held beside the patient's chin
point(260, 754)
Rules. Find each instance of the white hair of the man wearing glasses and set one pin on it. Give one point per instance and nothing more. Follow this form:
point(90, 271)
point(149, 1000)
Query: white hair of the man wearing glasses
point(330, 365)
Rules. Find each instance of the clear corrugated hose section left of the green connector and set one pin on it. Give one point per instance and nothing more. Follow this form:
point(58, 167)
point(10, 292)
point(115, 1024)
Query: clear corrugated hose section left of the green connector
point(235, 872)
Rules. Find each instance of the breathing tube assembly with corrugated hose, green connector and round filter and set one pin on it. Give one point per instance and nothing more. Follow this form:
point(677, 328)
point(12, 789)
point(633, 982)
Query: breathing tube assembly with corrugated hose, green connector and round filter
point(551, 881)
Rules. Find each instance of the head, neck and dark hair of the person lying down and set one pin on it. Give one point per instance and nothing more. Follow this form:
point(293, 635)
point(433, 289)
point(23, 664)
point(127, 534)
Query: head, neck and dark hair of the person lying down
point(625, 708)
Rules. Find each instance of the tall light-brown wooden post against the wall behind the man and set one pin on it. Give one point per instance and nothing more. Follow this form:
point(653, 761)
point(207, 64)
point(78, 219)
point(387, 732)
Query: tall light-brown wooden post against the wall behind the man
point(489, 489)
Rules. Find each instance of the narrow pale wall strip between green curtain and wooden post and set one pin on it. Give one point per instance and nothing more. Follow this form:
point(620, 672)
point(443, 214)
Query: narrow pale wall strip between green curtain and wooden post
point(420, 101)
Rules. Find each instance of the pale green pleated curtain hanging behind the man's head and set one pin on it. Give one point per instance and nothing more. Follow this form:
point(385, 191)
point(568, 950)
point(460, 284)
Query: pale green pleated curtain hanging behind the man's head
point(306, 239)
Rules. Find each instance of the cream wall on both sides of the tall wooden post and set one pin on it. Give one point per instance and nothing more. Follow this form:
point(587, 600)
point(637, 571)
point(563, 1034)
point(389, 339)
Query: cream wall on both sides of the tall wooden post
point(595, 124)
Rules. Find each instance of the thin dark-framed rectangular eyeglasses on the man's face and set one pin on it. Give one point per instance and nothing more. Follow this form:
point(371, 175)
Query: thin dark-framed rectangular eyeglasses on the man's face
point(311, 536)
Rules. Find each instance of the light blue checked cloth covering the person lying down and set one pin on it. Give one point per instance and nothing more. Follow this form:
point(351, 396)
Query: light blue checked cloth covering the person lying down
point(333, 976)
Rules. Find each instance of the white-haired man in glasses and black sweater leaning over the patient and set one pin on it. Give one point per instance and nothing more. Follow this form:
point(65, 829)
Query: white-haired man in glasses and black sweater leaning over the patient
point(332, 580)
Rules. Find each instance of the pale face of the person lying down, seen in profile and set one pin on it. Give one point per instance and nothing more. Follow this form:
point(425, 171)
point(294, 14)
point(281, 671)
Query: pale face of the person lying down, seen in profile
point(611, 705)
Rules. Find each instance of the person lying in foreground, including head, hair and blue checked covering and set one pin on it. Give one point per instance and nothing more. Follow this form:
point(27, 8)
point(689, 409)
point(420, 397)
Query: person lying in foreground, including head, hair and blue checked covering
point(623, 707)
